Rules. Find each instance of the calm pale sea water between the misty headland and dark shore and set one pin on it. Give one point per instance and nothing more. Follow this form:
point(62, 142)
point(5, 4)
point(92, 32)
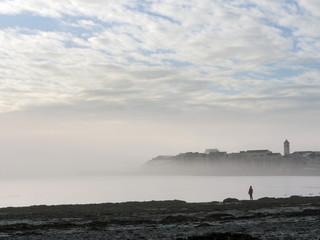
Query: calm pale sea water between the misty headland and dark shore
point(80, 190)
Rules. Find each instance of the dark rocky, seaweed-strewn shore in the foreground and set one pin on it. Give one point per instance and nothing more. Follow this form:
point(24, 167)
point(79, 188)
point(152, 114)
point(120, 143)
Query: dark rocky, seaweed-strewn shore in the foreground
point(267, 218)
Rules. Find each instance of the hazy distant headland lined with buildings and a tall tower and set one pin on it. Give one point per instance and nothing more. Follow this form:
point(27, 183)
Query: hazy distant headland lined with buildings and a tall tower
point(249, 163)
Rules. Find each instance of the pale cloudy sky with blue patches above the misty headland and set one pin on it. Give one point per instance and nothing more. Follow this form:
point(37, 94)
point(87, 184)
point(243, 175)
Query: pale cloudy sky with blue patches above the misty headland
point(96, 86)
